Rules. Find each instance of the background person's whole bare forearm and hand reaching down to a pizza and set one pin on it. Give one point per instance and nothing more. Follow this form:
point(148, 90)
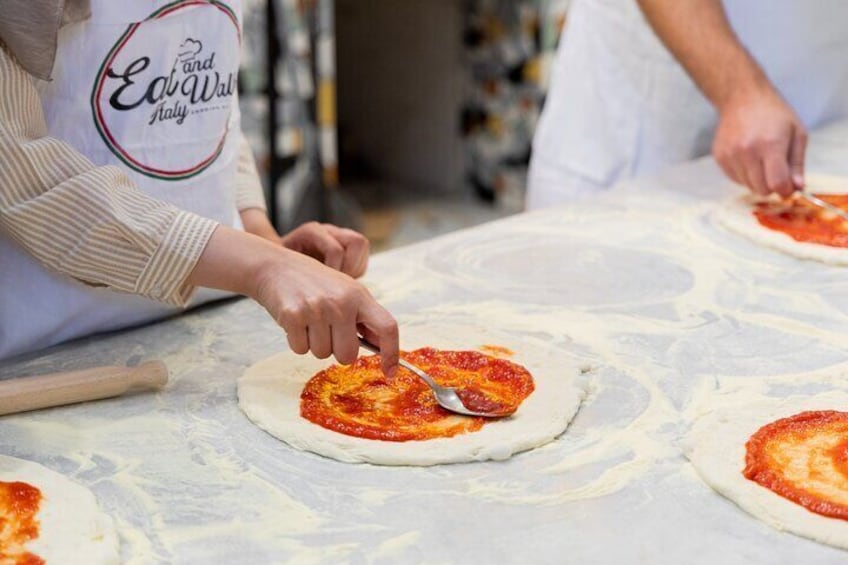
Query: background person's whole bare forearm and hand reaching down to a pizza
point(759, 141)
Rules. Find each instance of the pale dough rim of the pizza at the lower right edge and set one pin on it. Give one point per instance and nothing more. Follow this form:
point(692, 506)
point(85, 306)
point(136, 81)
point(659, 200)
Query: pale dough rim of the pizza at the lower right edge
point(716, 448)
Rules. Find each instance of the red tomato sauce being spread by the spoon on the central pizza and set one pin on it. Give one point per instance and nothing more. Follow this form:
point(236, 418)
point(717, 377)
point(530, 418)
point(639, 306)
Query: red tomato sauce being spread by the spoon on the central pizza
point(359, 400)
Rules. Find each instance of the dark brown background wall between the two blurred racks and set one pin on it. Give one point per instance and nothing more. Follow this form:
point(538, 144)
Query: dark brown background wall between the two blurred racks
point(401, 81)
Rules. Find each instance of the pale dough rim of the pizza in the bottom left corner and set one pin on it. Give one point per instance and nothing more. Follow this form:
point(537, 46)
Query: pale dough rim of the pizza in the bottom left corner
point(73, 530)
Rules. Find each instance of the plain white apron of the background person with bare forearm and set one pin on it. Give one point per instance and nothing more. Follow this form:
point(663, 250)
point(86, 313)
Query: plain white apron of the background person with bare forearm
point(620, 105)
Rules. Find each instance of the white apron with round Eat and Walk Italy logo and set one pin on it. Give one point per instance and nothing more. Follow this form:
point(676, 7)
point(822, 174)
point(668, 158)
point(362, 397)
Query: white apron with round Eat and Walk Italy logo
point(149, 86)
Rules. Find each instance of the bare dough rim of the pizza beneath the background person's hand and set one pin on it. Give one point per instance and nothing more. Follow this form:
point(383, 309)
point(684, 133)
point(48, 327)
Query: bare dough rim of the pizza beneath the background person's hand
point(735, 214)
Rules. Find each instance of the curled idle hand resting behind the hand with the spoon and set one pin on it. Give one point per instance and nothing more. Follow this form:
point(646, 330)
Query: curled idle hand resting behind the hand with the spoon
point(339, 248)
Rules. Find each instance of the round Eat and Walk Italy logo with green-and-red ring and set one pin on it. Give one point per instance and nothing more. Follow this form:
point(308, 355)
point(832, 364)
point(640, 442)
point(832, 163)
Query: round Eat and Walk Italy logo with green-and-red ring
point(149, 87)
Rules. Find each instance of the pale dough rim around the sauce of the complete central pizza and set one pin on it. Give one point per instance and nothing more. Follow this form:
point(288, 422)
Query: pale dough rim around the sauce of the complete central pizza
point(269, 393)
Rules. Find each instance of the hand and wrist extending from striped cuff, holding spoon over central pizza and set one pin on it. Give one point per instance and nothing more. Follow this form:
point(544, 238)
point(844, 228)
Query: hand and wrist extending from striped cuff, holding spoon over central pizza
point(321, 309)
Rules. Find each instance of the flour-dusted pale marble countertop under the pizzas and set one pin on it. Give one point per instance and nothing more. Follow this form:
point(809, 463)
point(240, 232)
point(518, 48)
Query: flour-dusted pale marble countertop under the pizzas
point(641, 283)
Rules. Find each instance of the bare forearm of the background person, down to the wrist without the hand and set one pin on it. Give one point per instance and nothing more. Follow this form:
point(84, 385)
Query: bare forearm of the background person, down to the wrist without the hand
point(699, 36)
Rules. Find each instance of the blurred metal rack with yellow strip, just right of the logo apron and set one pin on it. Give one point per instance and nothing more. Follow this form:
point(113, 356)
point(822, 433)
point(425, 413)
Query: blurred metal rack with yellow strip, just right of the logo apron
point(301, 110)
